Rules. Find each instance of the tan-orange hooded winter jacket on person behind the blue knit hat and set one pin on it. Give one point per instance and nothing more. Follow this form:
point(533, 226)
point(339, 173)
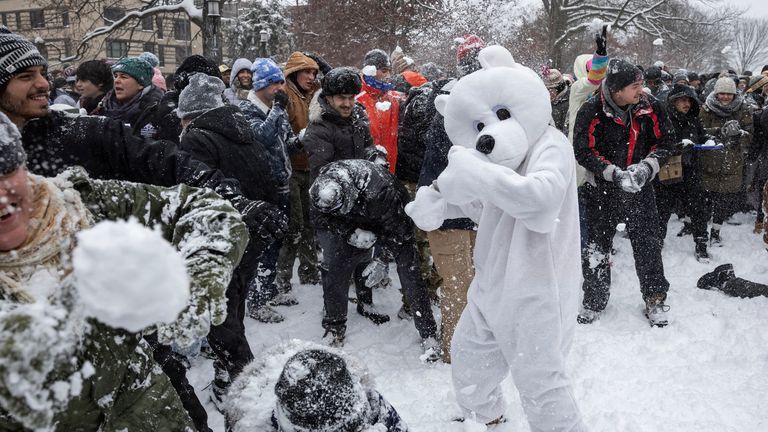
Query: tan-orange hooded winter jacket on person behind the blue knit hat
point(298, 103)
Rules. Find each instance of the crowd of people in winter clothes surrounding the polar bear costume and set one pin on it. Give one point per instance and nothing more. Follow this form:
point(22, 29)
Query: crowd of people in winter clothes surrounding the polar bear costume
point(250, 167)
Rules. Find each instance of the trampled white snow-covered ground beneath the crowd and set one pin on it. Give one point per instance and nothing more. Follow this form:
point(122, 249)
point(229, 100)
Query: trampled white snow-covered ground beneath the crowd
point(706, 372)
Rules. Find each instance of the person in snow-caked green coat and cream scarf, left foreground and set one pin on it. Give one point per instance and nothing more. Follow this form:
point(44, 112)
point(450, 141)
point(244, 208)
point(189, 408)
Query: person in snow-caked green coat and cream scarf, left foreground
point(100, 377)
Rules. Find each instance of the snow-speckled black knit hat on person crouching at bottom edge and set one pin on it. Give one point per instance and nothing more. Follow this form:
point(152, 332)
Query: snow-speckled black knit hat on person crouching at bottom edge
point(315, 391)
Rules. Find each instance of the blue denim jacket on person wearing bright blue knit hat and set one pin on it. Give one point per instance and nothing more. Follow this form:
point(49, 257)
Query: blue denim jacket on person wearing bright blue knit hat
point(271, 128)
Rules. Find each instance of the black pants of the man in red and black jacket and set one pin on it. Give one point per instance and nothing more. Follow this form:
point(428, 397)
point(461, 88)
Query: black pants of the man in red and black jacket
point(607, 206)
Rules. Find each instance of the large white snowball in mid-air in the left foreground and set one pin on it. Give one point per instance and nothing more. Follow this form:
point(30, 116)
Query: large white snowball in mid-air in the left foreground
point(128, 276)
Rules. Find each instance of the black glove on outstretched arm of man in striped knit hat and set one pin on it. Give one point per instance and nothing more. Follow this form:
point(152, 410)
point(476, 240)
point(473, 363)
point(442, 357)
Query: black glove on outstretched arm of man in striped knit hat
point(266, 222)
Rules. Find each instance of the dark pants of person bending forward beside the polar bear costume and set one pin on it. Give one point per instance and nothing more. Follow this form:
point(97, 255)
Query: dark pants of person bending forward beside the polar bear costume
point(342, 261)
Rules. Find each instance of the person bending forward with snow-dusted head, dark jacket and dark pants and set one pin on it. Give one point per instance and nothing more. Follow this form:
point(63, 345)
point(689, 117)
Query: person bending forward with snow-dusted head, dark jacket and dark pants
point(360, 221)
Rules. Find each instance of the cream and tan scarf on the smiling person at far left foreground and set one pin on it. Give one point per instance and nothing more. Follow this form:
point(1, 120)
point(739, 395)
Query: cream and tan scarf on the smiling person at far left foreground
point(57, 217)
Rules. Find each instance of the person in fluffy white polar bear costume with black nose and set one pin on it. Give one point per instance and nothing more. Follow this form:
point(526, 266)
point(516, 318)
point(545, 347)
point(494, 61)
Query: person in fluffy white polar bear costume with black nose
point(513, 174)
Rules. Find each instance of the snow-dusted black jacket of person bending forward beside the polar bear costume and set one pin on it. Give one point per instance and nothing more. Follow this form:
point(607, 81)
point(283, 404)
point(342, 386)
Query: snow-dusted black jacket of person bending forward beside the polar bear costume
point(364, 188)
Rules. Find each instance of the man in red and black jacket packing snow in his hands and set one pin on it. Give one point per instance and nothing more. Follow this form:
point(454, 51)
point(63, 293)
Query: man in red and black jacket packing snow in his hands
point(622, 136)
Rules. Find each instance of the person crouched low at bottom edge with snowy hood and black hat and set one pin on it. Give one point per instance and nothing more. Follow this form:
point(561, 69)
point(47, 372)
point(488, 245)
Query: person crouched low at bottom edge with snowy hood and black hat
point(317, 389)
